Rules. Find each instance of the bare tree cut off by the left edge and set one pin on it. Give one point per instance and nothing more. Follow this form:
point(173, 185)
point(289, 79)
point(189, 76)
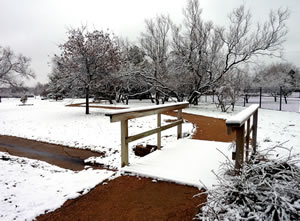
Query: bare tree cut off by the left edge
point(13, 67)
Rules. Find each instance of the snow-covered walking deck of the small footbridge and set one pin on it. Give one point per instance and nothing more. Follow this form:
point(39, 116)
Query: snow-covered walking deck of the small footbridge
point(184, 161)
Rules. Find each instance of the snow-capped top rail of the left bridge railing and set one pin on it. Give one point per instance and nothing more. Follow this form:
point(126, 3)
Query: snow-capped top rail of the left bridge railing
point(142, 112)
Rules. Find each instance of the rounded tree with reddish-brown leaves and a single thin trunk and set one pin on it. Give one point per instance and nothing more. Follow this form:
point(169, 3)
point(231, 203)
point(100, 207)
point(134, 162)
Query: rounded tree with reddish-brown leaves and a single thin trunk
point(87, 58)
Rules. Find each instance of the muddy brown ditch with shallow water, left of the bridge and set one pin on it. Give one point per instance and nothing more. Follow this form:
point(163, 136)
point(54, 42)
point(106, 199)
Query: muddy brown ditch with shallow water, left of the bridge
point(65, 157)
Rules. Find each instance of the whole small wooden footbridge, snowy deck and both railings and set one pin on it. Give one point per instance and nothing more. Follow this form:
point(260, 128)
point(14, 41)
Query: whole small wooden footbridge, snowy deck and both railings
point(186, 160)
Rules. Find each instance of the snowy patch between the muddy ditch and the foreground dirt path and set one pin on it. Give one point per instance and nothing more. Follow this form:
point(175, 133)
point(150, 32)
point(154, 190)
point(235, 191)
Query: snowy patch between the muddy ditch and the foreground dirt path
point(29, 188)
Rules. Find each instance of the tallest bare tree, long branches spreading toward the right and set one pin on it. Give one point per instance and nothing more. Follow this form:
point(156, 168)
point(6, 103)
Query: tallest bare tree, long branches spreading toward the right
point(205, 52)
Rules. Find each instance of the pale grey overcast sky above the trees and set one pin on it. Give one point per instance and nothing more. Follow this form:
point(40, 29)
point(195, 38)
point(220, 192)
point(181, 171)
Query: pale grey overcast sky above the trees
point(35, 27)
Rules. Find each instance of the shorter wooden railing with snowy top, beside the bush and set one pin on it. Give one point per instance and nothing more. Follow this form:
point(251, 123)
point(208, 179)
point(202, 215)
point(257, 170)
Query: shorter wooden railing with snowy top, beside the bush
point(237, 123)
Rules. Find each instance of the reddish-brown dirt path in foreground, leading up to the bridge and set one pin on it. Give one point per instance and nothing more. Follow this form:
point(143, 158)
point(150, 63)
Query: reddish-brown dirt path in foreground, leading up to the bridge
point(131, 198)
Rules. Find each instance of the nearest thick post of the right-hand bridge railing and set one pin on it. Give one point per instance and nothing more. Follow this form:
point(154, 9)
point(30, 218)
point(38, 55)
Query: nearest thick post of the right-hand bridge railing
point(240, 136)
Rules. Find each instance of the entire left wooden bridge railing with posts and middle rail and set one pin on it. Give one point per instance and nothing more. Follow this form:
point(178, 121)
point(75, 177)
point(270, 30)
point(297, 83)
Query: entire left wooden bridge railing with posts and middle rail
point(125, 115)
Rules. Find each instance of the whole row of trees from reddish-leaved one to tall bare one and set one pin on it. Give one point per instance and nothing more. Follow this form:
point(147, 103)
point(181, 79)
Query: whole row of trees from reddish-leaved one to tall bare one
point(170, 61)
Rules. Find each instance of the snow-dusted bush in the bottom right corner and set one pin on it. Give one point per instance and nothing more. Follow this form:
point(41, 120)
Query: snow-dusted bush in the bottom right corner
point(266, 189)
